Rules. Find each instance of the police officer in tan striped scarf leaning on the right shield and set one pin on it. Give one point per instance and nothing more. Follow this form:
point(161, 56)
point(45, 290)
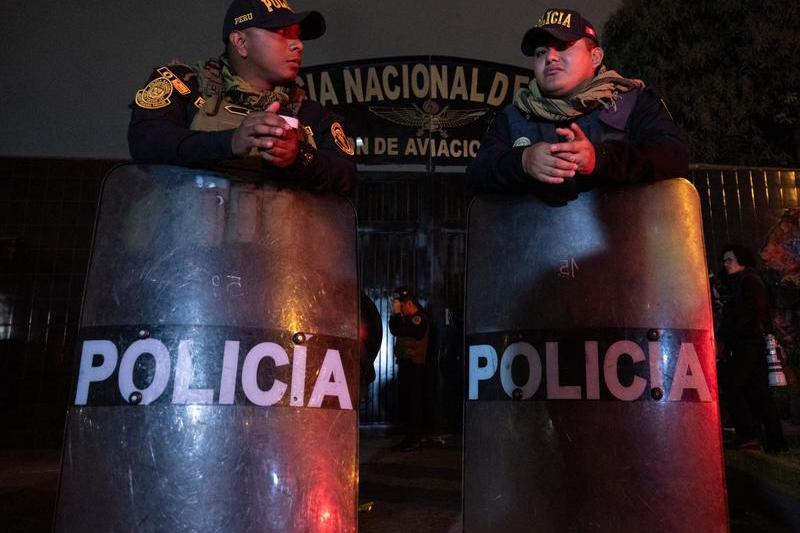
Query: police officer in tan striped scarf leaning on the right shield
point(576, 119)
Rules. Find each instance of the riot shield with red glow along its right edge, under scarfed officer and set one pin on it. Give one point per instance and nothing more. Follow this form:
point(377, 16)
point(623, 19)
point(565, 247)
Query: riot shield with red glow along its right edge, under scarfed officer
point(591, 390)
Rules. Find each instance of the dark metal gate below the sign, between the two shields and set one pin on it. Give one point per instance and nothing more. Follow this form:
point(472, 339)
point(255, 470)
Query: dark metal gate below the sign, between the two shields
point(412, 233)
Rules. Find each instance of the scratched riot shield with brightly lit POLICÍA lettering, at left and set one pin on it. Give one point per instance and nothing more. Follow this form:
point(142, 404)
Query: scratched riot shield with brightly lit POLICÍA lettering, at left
point(217, 366)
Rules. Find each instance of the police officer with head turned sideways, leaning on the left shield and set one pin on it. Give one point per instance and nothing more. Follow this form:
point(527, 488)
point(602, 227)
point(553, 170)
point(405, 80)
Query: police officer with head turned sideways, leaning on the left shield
point(244, 110)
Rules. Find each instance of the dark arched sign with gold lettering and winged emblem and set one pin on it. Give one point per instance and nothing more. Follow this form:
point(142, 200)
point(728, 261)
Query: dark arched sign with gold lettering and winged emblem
point(414, 109)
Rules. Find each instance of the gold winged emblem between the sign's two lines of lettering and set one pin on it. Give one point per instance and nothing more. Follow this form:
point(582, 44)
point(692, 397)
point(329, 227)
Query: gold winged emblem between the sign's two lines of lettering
point(430, 118)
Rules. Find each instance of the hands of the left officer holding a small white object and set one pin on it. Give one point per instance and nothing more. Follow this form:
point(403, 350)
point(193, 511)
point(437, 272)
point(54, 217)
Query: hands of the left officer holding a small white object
point(266, 131)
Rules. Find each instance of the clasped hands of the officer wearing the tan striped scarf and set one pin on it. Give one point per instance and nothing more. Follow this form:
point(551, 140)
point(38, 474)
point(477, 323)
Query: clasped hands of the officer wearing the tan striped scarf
point(553, 163)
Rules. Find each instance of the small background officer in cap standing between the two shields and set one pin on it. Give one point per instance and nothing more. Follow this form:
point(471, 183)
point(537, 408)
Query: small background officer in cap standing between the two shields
point(409, 324)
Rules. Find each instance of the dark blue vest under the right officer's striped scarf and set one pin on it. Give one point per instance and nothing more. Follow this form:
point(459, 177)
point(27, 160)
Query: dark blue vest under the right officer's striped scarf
point(599, 126)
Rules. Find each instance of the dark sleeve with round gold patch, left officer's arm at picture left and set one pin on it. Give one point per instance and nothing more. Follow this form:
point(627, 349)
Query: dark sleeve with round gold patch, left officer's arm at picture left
point(161, 113)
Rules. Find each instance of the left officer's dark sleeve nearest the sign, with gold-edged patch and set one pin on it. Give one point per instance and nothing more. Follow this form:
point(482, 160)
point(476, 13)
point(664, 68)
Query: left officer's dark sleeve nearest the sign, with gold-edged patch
point(325, 162)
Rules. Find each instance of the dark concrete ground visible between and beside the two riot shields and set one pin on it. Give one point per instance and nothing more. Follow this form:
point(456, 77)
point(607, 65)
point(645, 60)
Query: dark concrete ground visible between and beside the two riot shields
point(420, 490)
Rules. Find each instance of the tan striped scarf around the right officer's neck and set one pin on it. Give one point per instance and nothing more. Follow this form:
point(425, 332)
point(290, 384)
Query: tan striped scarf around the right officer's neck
point(602, 90)
